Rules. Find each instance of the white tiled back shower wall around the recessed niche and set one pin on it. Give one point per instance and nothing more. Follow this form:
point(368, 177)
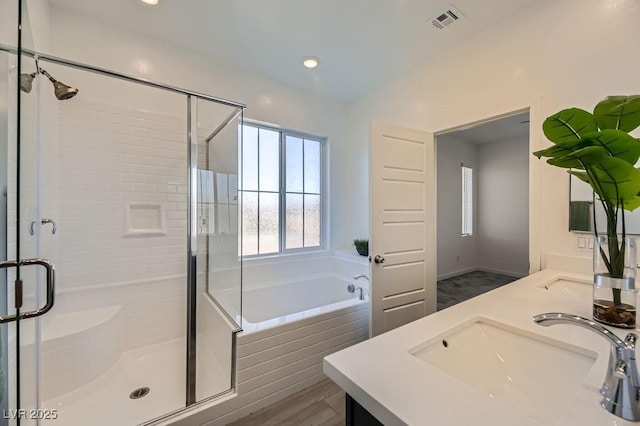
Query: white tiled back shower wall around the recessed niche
point(108, 158)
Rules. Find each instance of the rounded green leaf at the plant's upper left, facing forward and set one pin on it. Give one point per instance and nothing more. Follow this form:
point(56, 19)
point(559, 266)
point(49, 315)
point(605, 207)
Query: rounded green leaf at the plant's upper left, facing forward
point(569, 125)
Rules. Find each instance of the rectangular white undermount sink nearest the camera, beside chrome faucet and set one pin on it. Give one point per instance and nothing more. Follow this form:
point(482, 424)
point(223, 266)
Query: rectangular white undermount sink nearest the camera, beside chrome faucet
point(531, 373)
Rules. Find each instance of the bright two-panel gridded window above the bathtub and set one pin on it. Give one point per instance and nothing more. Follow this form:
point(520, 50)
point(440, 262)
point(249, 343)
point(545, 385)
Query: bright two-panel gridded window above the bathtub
point(281, 189)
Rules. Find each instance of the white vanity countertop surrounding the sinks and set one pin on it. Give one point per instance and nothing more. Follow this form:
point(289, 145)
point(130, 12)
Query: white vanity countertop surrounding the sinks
point(400, 389)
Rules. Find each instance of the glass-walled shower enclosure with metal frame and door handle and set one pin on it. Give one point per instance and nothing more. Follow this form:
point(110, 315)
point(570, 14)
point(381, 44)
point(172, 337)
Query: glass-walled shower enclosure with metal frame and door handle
point(119, 212)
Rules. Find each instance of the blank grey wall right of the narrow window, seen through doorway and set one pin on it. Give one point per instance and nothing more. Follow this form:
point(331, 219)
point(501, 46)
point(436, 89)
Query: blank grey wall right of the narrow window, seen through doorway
point(503, 207)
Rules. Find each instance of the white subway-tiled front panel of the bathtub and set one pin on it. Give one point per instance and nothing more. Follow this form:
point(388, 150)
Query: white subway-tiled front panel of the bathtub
point(279, 361)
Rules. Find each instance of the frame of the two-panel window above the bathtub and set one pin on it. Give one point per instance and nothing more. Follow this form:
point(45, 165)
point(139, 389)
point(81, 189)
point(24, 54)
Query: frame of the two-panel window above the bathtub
point(324, 228)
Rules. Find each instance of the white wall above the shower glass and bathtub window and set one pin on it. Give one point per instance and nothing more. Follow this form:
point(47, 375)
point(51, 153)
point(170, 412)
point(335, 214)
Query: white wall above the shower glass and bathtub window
point(85, 40)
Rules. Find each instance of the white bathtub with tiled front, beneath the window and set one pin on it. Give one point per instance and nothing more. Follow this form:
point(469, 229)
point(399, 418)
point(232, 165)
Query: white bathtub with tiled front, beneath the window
point(287, 330)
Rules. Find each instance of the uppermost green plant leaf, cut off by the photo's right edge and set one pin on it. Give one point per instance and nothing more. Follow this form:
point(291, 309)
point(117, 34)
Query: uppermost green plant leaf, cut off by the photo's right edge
point(618, 112)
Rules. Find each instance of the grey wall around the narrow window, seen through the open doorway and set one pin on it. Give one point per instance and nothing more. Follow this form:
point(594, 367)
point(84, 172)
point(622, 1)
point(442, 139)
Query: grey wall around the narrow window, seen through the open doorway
point(456, 254)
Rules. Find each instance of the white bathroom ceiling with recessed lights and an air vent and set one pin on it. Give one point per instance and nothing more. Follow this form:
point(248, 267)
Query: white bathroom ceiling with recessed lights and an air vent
point(360, 43)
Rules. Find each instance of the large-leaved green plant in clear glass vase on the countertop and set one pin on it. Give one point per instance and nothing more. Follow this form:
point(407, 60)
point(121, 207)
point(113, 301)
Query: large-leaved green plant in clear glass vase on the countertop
point(598, 149)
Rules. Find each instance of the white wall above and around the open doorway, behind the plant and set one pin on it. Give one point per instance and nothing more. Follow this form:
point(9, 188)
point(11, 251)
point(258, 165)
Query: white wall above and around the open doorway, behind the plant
point(551, 51)
